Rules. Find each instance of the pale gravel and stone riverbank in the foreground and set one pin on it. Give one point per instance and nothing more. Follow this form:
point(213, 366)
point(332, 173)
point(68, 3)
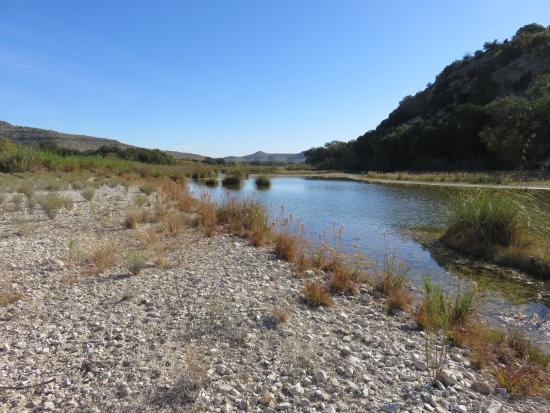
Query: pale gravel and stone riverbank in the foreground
point(206, 333)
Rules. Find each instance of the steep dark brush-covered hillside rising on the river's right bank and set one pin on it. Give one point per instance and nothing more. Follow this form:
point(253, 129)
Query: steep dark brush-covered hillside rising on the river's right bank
point(488, 110)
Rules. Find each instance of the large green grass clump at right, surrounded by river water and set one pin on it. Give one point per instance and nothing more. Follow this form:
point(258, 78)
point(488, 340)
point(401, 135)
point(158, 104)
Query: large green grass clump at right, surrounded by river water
point(501, 226)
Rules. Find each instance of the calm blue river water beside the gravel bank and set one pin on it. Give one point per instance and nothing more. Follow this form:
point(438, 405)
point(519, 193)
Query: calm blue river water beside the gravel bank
point(373, 218)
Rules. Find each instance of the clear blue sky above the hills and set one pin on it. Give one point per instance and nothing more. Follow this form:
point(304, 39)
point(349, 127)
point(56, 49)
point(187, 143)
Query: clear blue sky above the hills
point(232, 77)
